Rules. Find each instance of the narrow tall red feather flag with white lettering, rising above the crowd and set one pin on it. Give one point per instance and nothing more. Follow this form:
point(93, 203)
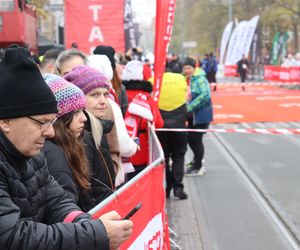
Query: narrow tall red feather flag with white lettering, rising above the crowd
point(165, 11)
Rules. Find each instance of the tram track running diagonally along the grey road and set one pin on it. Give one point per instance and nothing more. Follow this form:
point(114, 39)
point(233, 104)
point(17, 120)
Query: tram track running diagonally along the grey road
point(278, 218)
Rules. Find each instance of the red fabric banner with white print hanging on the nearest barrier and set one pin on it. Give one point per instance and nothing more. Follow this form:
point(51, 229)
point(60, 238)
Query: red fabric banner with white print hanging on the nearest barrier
point(150, 230)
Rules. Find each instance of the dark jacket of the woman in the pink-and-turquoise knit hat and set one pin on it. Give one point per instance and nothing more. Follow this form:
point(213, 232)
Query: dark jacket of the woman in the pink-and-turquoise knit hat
point(59, 168)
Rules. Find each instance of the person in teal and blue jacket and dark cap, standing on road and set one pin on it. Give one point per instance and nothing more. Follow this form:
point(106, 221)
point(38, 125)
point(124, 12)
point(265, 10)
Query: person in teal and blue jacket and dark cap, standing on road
point(200, 113)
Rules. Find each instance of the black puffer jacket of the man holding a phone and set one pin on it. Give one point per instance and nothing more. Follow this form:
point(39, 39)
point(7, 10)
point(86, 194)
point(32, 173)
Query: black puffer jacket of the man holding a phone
point(33, 207)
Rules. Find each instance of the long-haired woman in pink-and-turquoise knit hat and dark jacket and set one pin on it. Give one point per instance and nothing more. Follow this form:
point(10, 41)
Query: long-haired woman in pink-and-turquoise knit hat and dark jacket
point(68, 153)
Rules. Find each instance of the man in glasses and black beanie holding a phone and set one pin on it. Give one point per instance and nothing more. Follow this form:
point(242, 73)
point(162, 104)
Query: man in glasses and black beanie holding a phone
point(33, 206)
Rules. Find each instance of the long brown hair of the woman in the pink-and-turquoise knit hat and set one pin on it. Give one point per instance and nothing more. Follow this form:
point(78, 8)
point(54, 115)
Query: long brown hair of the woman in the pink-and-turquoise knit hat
point(74, 150)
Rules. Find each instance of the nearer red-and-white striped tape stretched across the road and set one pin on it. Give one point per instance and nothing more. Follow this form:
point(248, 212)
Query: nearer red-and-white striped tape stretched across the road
point(269, 131)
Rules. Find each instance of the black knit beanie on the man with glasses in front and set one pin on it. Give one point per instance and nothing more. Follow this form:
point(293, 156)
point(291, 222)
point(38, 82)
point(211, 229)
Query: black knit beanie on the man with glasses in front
point(23, 91)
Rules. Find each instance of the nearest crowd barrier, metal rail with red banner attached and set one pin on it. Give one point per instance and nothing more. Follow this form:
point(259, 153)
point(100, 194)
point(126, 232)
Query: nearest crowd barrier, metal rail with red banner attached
point(150, 229)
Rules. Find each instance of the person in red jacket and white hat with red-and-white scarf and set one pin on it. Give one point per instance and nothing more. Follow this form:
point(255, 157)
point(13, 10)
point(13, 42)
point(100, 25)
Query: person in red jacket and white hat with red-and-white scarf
point(142, 108)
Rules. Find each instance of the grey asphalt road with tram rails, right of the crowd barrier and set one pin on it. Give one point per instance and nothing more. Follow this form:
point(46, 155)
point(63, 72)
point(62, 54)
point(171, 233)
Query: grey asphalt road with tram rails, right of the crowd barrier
point(249, 197)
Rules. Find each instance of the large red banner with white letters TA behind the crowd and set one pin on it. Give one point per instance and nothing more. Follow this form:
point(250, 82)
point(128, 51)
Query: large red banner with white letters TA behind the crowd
point(90, 23)
